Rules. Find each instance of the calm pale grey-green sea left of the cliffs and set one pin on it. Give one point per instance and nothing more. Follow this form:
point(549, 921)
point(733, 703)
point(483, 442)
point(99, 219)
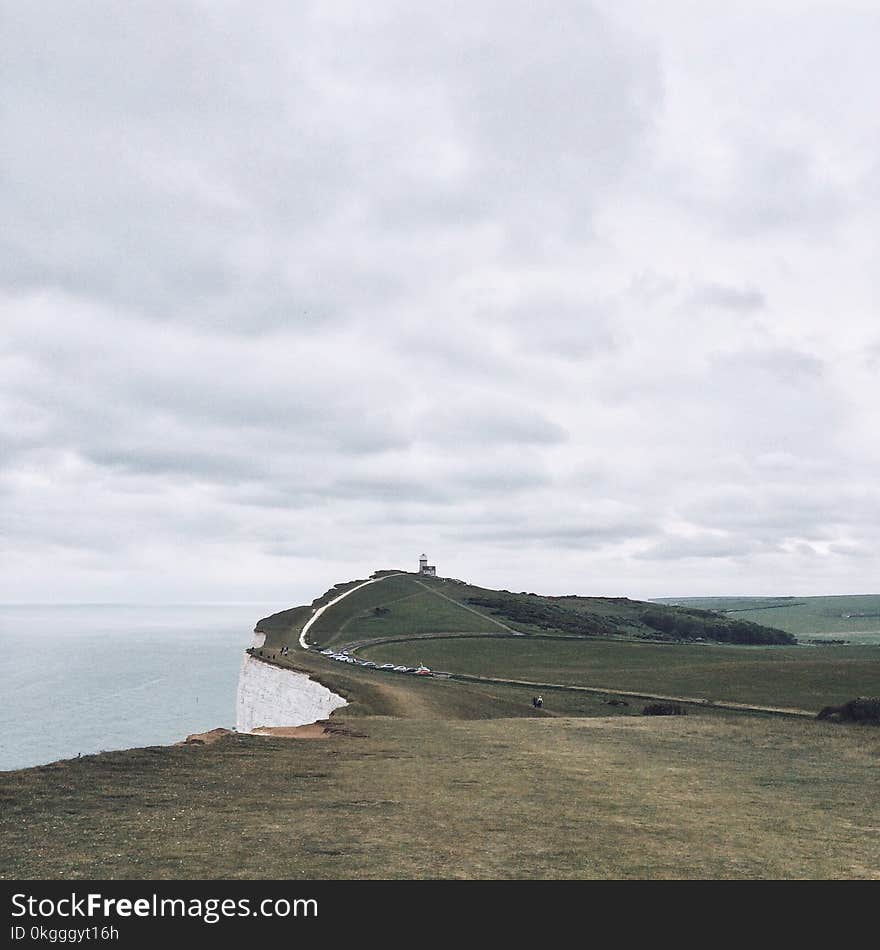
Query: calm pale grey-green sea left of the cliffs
point(86, 678)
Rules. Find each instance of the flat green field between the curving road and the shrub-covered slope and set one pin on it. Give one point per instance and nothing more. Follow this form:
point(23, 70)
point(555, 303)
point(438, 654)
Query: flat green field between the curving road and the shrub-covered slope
point(802, 677)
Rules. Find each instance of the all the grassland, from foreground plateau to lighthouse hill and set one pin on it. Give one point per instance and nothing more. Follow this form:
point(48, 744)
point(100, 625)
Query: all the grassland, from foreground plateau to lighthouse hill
point(462, 779)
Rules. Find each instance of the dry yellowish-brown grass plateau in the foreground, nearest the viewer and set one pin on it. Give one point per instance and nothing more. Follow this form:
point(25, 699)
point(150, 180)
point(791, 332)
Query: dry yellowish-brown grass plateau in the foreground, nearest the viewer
point(528, 798)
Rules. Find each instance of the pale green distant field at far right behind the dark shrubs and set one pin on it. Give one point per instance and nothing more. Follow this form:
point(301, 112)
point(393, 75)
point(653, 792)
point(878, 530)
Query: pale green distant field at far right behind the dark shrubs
point(856, 615)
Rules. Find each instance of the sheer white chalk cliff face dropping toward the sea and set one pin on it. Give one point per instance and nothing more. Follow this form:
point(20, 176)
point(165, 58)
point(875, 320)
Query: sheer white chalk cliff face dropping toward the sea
point(271, 696)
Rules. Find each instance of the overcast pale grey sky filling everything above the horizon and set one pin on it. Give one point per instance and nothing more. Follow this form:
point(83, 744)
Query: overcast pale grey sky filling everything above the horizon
point(575, 297)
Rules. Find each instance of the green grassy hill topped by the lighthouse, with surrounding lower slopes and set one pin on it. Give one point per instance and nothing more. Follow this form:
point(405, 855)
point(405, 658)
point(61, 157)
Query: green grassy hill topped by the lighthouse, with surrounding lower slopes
point(587, 643)
